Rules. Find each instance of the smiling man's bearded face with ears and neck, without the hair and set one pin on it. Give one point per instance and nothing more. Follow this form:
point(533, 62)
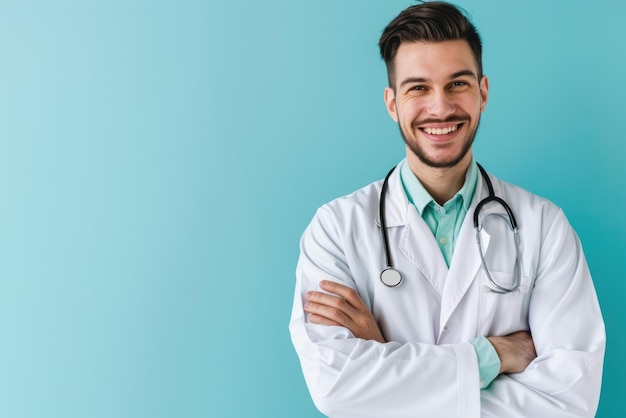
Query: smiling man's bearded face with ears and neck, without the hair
point(436, 96)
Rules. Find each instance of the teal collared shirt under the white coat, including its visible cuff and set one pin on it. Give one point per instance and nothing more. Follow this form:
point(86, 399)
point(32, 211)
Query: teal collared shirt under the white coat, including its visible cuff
point(445, 223)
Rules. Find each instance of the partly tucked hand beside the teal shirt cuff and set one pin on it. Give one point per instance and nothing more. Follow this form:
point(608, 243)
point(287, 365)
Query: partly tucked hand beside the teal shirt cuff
point(516, 351)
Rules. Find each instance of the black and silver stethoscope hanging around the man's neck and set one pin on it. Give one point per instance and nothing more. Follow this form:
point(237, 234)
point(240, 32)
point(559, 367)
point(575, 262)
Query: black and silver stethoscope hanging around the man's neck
point(392, 277)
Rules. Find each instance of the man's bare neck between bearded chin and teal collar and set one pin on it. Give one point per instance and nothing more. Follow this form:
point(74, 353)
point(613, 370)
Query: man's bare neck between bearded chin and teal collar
point(441, 183)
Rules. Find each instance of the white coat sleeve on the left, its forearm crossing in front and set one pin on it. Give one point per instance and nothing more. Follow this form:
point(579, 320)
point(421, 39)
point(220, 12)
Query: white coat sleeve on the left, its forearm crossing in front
point(351, 377)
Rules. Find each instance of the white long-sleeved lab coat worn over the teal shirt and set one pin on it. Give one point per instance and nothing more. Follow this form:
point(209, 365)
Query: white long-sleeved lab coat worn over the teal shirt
point(428, 368)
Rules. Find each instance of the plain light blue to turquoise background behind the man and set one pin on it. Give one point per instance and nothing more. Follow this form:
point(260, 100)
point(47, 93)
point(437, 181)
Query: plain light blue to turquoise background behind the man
point(160, 159)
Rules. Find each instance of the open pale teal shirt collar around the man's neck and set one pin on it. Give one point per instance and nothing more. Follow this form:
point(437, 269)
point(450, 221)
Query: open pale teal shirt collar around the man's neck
point(420, 198)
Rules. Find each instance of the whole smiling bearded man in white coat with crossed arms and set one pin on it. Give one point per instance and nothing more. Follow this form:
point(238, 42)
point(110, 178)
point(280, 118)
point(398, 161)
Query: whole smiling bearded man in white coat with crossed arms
point(442, 291)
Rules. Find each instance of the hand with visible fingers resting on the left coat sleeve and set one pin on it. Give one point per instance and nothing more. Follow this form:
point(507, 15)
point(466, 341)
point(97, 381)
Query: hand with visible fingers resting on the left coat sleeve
point(346, 309)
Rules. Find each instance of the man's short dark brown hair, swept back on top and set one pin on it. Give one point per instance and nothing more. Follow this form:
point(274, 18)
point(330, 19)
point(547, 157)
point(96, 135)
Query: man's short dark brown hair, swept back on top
point(435, 21)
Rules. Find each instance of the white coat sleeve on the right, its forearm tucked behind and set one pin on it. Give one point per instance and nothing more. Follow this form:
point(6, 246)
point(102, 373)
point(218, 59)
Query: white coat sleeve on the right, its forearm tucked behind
point(568, 331)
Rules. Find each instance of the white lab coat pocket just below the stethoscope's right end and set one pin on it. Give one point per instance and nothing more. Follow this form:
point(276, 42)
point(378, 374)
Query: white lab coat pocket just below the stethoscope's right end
point(502, 313)
